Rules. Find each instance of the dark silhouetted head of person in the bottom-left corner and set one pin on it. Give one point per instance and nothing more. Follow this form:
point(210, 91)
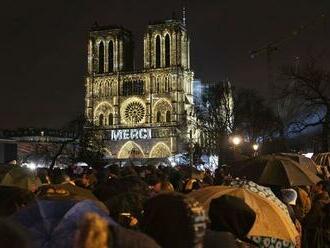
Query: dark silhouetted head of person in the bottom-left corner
point(13, 236)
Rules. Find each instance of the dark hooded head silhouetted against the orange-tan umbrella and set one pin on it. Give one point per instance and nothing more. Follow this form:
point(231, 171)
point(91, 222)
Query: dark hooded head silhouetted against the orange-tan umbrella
point(231, 214)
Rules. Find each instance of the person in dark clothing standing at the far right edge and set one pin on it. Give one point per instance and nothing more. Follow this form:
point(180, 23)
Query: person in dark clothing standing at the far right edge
point(312, 223)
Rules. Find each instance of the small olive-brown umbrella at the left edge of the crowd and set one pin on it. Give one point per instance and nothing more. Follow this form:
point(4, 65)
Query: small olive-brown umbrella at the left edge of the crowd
point(21, 177)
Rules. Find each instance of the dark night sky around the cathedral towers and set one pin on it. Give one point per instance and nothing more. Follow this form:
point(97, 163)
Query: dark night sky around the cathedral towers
point(43, 46)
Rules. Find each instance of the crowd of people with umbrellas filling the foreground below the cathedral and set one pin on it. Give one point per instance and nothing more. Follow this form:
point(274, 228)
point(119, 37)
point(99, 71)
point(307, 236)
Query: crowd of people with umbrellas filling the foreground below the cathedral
point(145, 206)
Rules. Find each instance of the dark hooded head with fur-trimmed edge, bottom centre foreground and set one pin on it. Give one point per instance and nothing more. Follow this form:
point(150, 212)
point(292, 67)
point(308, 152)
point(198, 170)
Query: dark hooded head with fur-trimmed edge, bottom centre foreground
point(174, 220)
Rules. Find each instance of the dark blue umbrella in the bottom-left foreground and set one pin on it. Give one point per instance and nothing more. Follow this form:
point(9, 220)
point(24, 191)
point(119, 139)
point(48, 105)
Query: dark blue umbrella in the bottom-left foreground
point(53, 223)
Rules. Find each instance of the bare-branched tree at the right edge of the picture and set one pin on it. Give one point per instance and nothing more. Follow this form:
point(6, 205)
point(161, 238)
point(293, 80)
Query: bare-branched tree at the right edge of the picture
point(310, 85)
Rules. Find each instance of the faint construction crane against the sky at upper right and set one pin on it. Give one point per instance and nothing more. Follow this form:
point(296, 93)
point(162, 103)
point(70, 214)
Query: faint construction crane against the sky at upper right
point(274, 46)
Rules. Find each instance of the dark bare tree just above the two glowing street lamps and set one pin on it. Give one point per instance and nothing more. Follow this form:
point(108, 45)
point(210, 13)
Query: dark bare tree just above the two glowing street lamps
point(254, 119)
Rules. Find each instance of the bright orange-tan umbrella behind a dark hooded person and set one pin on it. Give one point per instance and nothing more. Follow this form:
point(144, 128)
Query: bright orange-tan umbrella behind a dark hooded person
point(271, 221)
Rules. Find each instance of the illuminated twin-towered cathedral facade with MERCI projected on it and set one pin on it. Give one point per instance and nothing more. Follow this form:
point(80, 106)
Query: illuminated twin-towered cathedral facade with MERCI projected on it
point(140, 113)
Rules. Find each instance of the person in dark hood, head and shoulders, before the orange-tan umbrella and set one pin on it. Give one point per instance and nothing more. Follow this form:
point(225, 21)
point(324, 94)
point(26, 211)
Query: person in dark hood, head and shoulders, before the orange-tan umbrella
point(231, 220)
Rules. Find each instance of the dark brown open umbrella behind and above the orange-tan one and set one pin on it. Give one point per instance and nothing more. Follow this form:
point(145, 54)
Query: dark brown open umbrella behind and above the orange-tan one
point(274, 170)
